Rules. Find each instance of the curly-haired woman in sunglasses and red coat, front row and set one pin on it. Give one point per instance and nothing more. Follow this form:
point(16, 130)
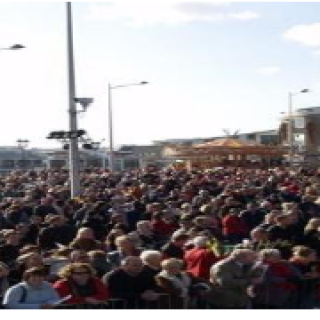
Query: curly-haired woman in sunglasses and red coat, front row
point(78, 281)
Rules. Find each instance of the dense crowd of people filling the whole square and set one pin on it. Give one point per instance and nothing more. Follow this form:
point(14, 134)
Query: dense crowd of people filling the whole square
point(224, 238)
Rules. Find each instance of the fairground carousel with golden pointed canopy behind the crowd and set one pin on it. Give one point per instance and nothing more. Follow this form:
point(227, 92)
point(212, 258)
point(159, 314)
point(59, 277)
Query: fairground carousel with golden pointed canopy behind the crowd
point(225, 152)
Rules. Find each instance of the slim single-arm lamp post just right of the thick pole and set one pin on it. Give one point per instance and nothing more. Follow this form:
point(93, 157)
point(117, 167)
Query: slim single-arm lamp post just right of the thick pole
point(111, 138)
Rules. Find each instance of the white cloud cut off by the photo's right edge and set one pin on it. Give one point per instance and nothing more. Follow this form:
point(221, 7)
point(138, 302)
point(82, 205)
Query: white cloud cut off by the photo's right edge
point(304, 34)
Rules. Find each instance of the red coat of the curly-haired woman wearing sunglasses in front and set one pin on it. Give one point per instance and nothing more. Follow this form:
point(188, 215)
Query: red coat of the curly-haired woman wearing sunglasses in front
point(64, 289)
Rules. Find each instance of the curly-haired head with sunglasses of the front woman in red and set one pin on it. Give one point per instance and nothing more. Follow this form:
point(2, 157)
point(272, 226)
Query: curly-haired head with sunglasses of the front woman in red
point(79, 273)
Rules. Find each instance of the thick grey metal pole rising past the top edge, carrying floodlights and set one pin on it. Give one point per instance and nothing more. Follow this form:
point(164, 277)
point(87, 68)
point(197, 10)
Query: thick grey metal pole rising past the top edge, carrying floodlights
point(73, 150)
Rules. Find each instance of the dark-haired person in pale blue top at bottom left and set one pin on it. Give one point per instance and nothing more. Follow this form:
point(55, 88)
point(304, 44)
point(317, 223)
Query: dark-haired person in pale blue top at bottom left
point(32, 293)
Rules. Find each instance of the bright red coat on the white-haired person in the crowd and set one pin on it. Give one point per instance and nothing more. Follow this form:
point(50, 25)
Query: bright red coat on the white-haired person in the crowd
point(199, 262)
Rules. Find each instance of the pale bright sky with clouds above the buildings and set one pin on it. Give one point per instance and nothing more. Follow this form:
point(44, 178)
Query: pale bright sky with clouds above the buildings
point(211, 66)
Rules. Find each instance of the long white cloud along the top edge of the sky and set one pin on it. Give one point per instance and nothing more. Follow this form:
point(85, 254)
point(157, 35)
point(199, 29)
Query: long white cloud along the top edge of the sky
point(168, 12)
